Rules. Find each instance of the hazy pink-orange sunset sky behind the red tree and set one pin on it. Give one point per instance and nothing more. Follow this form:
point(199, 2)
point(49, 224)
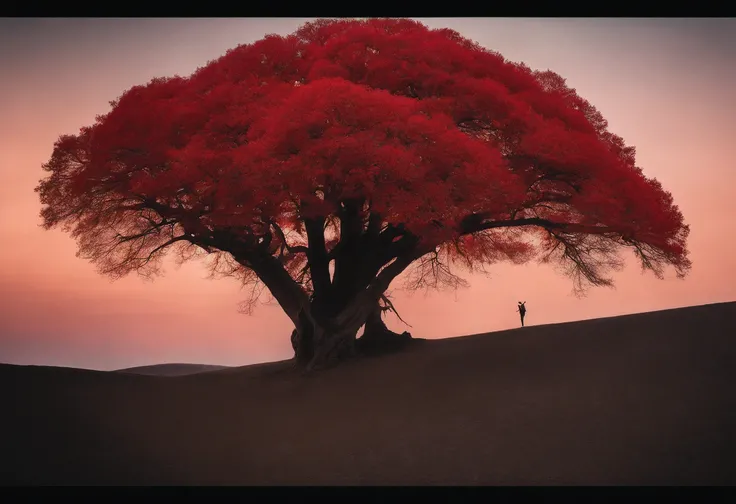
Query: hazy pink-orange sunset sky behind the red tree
point(666, 86)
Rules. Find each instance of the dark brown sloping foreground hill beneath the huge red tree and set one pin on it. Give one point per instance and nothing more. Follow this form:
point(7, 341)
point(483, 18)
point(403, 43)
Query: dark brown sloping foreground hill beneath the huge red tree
point(637, 399)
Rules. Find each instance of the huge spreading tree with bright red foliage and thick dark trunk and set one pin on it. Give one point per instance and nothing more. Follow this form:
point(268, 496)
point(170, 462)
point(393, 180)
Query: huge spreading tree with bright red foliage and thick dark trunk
point(325, 163)
